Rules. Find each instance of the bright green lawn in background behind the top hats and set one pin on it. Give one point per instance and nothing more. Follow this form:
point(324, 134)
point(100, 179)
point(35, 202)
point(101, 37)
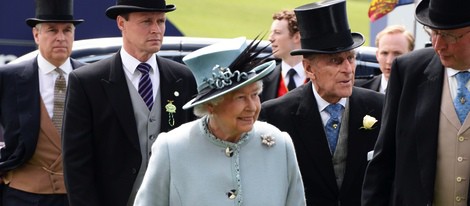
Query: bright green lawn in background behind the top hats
point(230, 18)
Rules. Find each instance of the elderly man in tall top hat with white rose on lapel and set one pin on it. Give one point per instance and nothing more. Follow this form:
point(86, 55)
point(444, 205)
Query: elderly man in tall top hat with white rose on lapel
point(325, 116)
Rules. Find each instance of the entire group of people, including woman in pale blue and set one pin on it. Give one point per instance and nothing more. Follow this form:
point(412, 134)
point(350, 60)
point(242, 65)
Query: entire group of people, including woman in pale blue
point(229, 127)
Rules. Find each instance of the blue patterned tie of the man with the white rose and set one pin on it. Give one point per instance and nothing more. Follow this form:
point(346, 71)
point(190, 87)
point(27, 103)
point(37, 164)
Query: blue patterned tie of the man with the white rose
point(332, 125)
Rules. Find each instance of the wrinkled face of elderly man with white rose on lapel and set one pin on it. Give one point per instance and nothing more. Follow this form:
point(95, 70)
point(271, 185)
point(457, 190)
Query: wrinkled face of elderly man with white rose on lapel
point(332, 74)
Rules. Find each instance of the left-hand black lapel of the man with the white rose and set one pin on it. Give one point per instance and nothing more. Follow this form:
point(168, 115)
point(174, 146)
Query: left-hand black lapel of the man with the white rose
point(309, 122)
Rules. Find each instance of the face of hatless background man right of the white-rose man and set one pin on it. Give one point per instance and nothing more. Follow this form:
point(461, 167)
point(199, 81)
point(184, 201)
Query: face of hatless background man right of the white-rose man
point(390, 46)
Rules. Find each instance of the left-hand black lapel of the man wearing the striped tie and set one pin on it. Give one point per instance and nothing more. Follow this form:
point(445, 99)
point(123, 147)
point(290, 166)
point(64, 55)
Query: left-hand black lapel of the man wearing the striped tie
point(118, 91)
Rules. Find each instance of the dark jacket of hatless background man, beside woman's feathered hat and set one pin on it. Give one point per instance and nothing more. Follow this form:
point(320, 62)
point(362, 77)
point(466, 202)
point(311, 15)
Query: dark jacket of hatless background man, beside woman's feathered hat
point(271, 84)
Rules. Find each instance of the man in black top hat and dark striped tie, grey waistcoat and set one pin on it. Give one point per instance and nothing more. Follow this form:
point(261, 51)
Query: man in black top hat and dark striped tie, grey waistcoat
point(116, 107)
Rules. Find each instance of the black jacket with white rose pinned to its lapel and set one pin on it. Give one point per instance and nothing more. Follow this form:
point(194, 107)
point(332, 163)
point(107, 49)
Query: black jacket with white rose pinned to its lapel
point(297, 113)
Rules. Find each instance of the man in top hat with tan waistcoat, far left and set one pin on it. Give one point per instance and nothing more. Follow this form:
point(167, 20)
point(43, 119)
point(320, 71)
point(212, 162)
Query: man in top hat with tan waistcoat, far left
point(32, 97)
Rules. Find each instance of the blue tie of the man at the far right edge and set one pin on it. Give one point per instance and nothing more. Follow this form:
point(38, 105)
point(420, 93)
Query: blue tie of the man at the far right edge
point(462, 106)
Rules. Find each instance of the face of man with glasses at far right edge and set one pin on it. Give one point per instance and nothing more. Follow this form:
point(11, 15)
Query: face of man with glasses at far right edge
point(454, 54)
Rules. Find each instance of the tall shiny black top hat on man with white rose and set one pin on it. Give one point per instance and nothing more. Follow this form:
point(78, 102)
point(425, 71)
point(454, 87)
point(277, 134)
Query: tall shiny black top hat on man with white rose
point(324, 28)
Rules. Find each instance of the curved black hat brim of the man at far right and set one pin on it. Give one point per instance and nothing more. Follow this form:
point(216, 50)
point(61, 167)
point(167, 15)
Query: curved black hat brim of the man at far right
point(422, 16)
